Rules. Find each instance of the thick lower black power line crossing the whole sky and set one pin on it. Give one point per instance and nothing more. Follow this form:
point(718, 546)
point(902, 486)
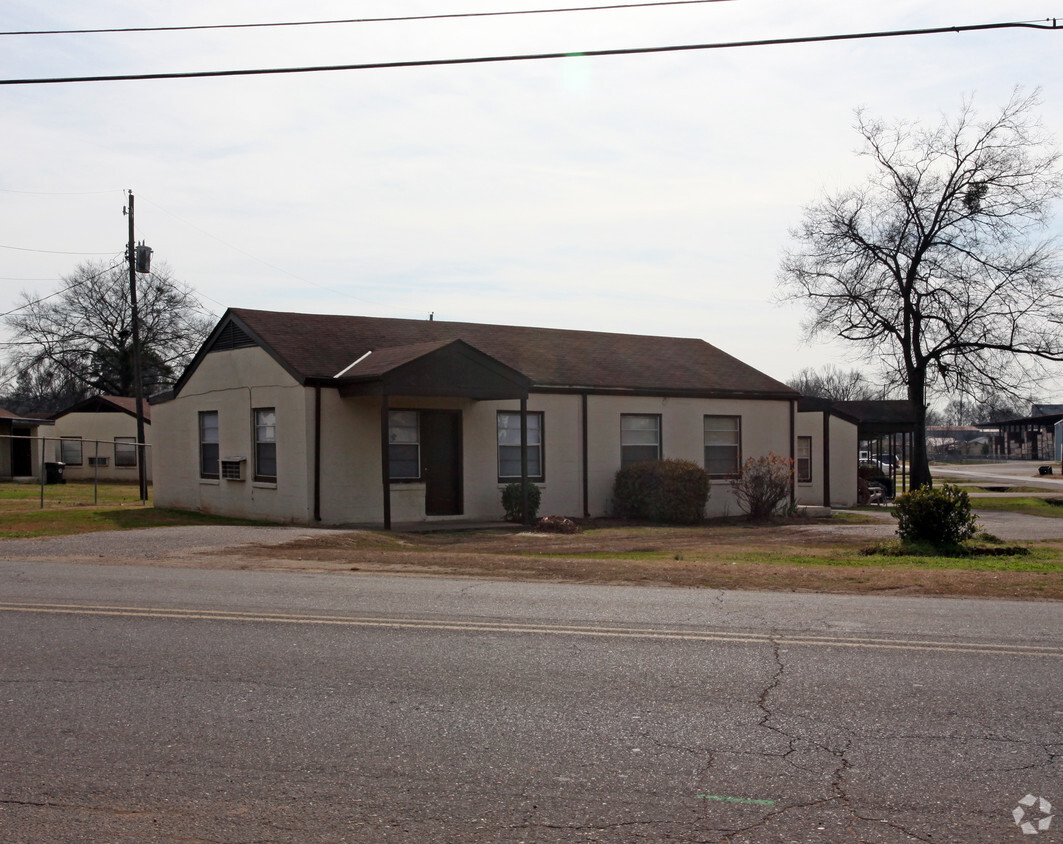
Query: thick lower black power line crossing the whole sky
point(1051, 24)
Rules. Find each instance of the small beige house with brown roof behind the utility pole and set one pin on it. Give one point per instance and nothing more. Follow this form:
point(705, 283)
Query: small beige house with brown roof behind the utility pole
point(97, 440)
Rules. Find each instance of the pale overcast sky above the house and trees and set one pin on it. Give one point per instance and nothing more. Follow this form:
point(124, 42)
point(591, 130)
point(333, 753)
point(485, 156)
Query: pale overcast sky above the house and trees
point(647, 194)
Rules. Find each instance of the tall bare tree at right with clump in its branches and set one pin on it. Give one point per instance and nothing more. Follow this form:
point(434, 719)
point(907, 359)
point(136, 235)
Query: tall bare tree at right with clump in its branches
point(938, 267)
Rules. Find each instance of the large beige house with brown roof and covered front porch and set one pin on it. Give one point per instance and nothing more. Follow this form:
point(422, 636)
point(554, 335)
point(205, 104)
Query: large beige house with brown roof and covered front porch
point(355, 420)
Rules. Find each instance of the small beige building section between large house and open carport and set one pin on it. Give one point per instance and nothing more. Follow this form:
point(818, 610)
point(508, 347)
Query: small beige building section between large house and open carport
point(826, 449)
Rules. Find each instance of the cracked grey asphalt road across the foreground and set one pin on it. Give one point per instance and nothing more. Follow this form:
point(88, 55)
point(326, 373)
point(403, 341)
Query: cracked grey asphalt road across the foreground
point(158, 704)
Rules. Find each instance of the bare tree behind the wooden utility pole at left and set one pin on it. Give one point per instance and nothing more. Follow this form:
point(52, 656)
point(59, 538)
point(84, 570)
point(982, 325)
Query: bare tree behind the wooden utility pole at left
point(81, 340)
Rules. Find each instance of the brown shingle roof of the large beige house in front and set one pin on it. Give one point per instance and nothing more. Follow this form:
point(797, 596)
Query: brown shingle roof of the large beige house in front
point(316, 348)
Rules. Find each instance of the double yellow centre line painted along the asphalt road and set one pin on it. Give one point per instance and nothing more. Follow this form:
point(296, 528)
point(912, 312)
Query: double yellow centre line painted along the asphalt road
point(998, 649)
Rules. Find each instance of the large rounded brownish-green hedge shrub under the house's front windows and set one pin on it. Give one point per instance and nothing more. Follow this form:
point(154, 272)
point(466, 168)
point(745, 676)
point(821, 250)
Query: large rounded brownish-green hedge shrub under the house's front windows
point(670, 492)
